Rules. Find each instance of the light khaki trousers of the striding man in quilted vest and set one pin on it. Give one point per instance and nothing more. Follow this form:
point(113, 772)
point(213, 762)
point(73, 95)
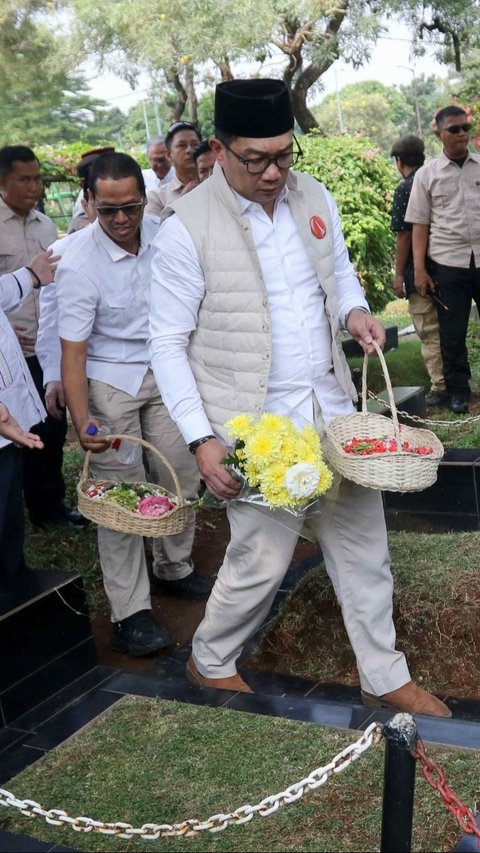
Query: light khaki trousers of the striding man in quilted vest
point(350, 529)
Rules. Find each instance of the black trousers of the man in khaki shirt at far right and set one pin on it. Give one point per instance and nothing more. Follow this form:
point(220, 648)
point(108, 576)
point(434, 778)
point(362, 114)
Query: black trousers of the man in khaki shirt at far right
point(457, 287)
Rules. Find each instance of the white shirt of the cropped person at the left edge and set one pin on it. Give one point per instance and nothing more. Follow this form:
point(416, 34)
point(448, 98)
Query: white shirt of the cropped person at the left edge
point(17, 390)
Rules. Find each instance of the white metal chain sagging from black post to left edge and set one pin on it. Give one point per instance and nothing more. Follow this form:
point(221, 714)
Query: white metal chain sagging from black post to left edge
point(151, 831)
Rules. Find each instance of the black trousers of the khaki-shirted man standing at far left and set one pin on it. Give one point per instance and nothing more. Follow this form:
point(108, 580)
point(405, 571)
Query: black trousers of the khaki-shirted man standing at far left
point(43, 483)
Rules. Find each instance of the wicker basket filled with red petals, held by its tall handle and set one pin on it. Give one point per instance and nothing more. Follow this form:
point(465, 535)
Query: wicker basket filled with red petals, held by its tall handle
point(397, 471)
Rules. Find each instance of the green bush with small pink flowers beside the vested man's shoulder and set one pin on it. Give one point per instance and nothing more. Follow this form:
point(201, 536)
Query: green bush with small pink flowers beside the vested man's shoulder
point(362, 182)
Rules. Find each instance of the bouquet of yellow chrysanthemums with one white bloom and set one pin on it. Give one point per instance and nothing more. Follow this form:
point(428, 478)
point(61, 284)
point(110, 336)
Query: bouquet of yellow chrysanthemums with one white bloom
point(281, 465)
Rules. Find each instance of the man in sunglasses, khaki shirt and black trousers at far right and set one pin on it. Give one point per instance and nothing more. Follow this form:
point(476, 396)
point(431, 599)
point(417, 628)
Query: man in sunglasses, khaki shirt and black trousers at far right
point(444, 208)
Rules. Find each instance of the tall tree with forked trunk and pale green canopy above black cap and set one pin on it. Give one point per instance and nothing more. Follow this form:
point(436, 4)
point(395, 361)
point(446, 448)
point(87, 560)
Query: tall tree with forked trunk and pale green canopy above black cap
point(173, 39)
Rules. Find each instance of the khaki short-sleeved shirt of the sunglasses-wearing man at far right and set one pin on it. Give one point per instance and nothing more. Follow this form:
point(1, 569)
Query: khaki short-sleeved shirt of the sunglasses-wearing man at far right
point(447, 198)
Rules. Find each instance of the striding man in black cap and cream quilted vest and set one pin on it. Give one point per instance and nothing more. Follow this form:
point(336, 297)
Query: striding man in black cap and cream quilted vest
point(251, 286)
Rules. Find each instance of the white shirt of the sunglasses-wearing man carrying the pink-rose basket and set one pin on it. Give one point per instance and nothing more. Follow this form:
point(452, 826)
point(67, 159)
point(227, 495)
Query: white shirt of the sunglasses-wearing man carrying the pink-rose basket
point(103, 296)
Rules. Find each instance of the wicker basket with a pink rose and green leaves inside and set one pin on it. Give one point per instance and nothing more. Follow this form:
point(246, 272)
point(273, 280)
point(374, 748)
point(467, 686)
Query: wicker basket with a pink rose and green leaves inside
point(116, 517)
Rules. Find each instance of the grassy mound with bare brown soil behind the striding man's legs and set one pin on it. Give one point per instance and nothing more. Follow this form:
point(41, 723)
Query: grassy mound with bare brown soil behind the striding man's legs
point(436, 606)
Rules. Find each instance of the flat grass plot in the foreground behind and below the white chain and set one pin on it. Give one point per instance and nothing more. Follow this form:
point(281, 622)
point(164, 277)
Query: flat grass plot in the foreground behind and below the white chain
point(147, 760)
